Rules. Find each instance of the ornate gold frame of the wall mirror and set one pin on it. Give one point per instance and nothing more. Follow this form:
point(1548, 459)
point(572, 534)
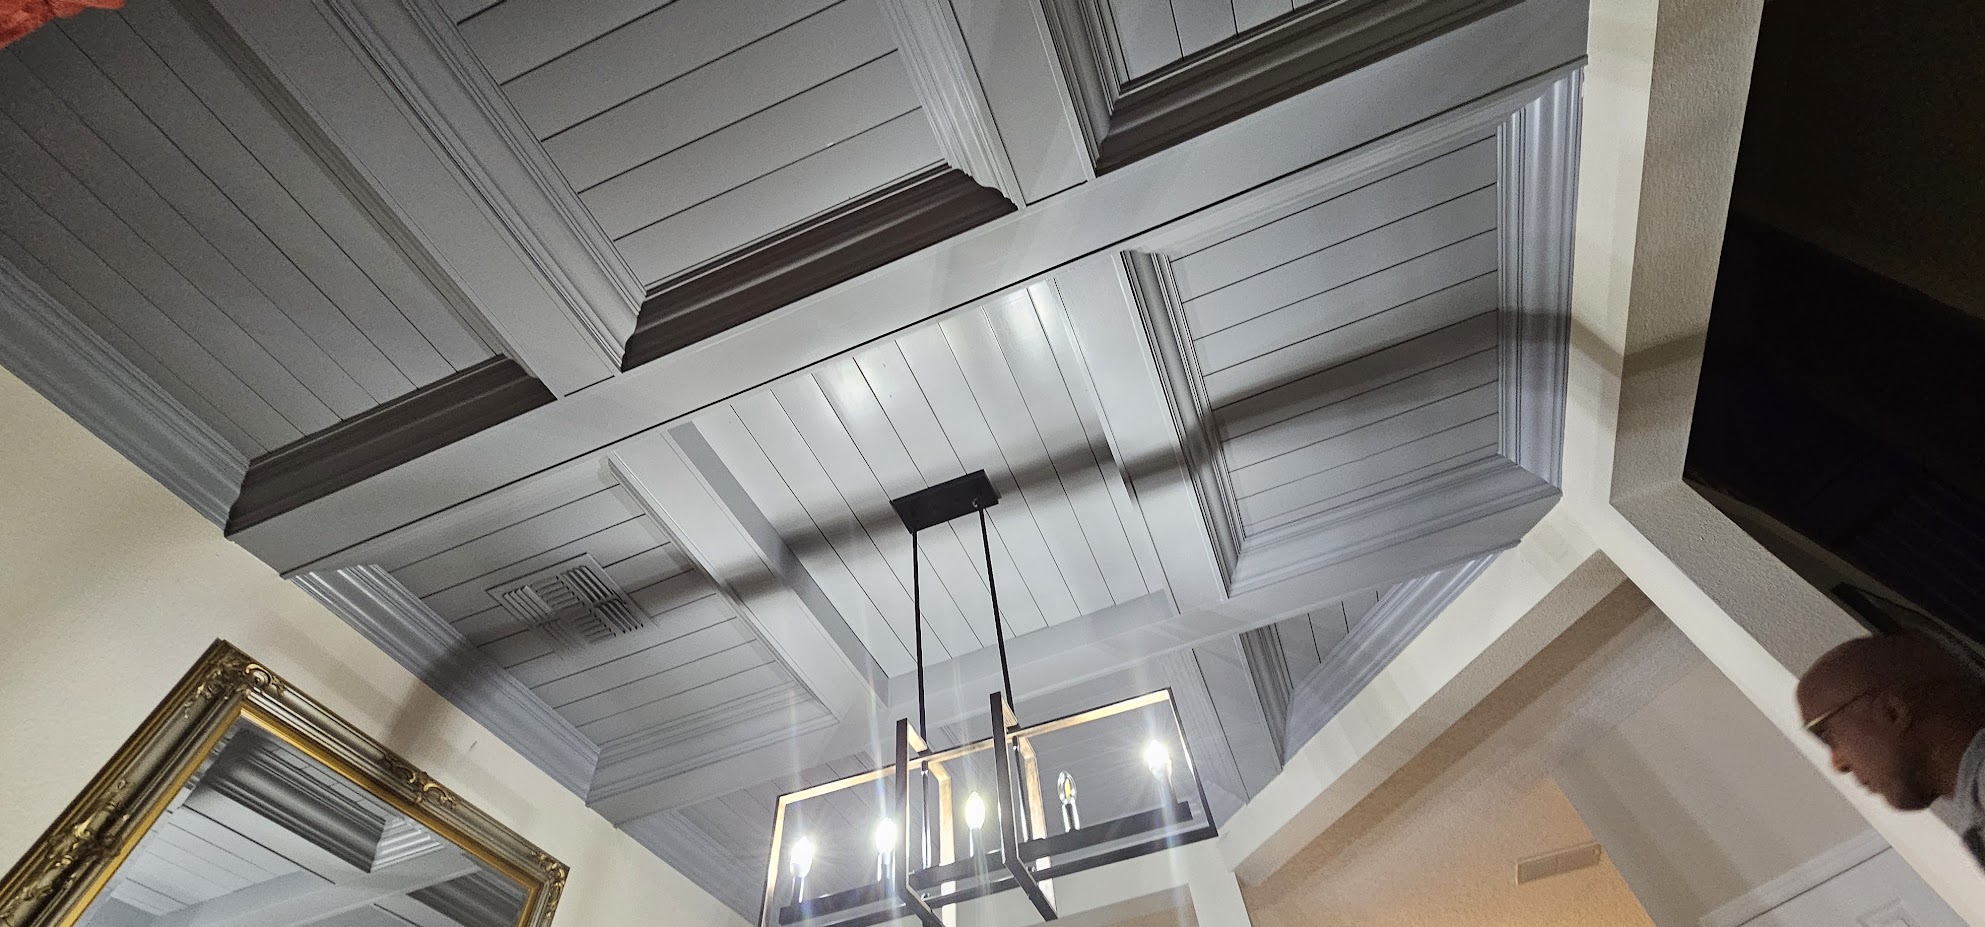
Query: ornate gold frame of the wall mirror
point(82, 851)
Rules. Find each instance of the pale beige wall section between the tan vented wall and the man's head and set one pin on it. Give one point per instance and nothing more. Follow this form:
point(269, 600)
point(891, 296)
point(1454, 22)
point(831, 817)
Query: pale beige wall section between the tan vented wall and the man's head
point(1700, 799)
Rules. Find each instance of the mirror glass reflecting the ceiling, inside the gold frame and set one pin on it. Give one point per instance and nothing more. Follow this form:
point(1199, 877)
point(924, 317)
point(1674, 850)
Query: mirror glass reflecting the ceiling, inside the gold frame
point(267, 837)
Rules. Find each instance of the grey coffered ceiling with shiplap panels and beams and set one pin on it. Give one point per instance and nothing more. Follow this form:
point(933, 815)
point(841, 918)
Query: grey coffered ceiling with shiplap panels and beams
point(575, 354)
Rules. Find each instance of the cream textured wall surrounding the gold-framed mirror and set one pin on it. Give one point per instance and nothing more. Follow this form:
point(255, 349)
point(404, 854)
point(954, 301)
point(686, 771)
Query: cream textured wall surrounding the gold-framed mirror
point(114, 589)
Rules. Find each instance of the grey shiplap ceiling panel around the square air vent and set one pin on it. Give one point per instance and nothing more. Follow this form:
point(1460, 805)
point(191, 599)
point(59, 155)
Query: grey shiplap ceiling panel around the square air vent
point(692, 658)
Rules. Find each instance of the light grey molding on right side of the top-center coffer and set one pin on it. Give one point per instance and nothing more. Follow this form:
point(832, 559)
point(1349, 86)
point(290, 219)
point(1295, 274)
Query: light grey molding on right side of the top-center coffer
point(932, 45)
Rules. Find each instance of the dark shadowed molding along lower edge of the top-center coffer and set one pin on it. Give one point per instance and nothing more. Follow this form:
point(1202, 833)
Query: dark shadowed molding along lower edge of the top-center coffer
point(809, 257)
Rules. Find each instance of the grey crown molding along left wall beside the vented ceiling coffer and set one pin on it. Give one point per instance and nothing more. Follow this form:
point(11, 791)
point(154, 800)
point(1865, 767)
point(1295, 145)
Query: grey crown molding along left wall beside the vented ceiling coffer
point(394, 620)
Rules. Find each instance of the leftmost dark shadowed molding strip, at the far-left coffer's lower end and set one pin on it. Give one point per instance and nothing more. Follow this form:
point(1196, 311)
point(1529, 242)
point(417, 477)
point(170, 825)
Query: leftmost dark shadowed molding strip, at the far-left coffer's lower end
point(380, 440)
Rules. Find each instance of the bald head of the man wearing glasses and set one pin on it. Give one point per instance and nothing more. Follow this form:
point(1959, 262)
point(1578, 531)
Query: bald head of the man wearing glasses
point(1895, 712)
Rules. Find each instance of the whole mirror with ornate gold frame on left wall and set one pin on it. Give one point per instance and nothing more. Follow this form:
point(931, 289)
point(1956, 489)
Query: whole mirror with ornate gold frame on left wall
point(247, 805)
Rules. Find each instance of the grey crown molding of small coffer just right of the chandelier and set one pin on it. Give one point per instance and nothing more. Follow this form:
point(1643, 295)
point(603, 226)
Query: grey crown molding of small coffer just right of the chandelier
point(1400, 616)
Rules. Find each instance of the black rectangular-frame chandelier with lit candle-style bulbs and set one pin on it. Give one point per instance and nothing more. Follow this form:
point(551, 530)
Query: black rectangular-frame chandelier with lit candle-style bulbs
point(938, 829)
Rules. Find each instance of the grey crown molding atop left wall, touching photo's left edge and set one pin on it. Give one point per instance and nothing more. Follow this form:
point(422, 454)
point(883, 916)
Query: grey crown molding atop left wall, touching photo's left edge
point(122, 406)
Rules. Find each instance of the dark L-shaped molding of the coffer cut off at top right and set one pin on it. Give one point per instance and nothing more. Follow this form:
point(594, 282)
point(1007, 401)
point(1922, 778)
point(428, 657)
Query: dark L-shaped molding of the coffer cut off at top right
point(1244, 74)
